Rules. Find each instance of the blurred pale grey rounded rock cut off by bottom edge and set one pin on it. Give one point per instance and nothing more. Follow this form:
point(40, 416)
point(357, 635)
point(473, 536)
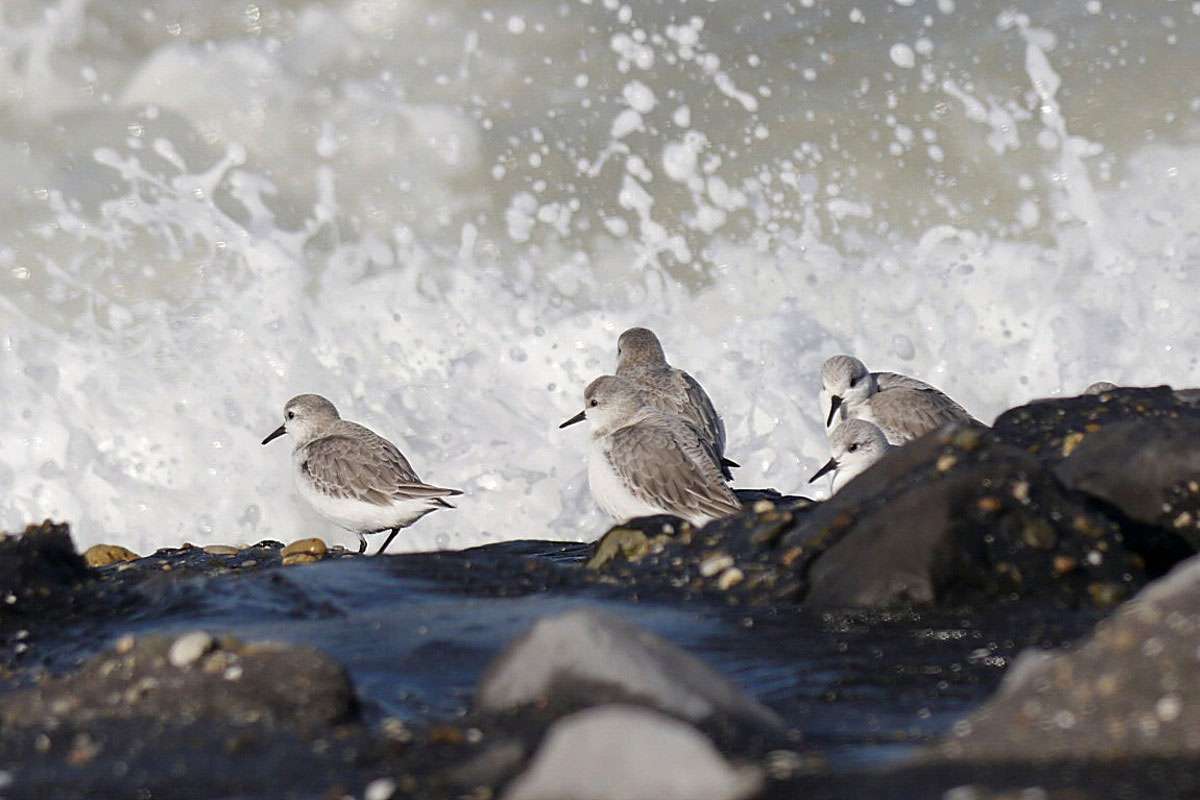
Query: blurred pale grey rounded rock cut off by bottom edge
point(625, 753)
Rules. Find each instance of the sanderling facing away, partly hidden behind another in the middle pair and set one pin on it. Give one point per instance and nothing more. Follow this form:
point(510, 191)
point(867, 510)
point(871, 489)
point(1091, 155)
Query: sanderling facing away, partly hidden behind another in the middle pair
point(641, 360)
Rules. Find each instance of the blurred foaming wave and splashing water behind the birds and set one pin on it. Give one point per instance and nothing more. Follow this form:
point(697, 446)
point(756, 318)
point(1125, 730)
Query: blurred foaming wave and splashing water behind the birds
point(442, 214)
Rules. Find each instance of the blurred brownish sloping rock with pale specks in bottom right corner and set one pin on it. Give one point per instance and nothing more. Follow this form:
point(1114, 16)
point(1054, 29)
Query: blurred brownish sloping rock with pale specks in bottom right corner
point(1131, 690)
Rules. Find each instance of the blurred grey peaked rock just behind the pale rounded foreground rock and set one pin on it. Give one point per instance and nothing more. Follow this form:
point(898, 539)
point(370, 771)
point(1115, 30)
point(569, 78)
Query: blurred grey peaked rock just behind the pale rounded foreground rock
point(571, 655)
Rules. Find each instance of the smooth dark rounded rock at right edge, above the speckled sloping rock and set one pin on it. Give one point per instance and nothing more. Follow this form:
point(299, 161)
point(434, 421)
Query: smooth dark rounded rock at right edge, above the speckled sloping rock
point(1148, 472)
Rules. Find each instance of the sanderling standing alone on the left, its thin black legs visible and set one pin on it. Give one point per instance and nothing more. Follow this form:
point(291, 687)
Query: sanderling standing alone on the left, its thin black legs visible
point(351, 476)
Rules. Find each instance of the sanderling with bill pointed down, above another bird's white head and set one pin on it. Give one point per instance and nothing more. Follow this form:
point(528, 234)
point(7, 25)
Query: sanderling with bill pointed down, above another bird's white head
point(904, 408)
